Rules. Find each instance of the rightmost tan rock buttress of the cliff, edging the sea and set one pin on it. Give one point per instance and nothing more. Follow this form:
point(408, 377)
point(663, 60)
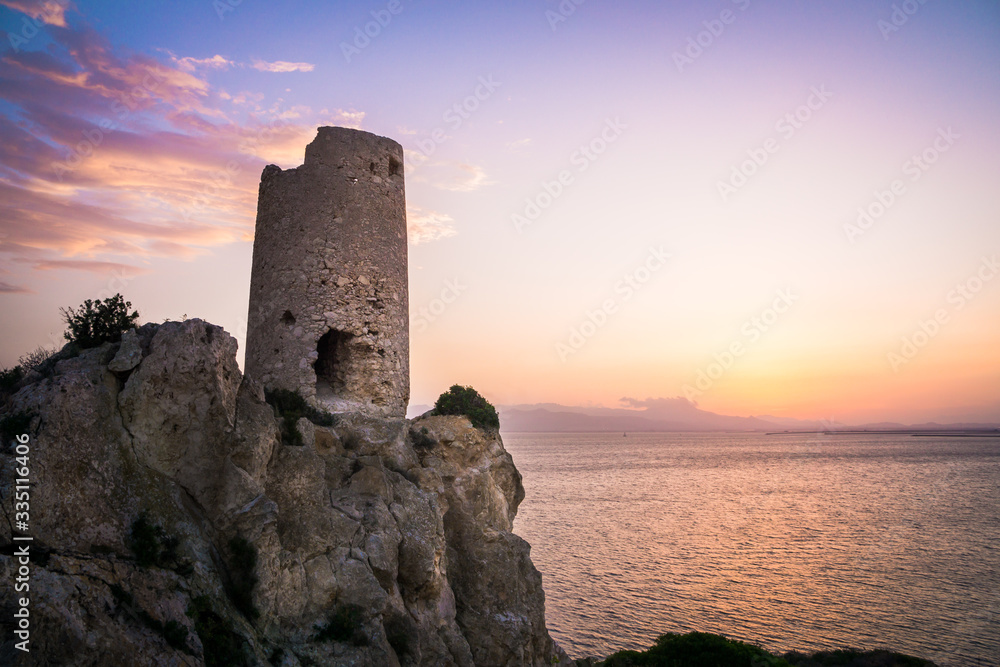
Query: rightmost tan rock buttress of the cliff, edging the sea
point(501, 605)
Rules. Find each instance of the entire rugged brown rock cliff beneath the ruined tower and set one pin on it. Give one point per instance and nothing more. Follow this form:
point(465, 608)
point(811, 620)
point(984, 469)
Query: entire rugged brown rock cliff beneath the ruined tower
point(171, 526)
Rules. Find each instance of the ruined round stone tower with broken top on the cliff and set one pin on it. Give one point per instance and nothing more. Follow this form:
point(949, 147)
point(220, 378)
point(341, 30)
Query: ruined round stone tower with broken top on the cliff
point(328, 290)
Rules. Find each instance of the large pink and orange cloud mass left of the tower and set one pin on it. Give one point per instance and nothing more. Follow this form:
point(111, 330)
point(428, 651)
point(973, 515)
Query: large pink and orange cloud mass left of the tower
point(106, 156)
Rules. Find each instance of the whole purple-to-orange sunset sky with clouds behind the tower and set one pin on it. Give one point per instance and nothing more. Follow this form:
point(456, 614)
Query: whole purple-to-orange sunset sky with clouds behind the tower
point(786, 208)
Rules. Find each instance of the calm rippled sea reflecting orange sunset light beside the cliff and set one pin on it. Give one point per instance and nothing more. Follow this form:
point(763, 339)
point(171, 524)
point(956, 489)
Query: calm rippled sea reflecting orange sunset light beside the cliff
point(792, 542)
